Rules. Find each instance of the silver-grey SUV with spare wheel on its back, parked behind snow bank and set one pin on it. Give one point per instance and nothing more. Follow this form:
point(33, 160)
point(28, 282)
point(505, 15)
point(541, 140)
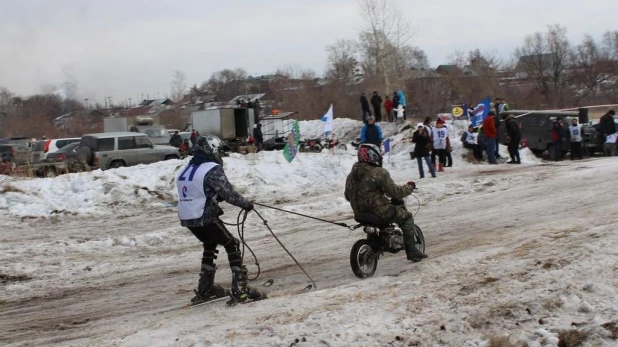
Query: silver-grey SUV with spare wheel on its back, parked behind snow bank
point(113, 150)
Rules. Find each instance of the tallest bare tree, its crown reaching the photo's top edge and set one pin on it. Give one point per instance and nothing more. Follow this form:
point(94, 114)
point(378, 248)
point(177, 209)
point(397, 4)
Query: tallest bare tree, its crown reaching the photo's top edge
point(385, 32)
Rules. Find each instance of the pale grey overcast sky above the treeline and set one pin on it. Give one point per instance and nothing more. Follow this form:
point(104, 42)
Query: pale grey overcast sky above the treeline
point(123, 48)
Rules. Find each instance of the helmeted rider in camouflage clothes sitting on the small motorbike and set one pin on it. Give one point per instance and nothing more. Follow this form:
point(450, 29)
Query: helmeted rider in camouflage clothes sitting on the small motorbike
point(366, 189)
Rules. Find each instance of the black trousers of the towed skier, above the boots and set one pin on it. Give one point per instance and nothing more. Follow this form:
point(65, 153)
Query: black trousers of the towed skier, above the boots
point(216, 234)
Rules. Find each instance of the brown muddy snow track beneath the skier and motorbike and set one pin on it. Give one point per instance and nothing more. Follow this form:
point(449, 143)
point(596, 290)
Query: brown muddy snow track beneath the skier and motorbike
point(96, 274)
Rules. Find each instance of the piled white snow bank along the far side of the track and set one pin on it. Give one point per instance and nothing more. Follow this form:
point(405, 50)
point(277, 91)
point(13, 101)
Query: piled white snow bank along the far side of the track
point(258, 176)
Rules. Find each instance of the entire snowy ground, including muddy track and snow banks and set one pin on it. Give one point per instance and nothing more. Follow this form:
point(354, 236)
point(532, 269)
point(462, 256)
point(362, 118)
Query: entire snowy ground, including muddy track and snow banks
point(526, 254)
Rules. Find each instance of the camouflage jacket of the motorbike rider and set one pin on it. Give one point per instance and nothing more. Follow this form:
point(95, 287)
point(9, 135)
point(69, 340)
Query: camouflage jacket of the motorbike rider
point(367, 188)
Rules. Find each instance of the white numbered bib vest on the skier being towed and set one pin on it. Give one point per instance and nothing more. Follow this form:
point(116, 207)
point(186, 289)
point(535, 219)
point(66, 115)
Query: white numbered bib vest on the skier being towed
point(190, 186)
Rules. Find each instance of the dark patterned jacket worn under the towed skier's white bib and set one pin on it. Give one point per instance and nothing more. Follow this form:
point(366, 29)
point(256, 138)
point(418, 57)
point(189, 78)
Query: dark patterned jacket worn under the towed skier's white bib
point(217, 188)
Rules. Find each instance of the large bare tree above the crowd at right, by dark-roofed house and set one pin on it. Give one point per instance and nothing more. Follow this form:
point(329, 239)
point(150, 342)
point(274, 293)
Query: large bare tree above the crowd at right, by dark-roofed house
point(545, 58)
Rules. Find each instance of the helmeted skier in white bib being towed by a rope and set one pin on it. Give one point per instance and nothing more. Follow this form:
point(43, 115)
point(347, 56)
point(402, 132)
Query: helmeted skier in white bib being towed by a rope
point(201, 185)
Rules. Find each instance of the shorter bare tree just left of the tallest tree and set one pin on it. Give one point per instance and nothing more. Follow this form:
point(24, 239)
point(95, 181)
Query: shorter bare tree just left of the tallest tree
point(341, 63)
